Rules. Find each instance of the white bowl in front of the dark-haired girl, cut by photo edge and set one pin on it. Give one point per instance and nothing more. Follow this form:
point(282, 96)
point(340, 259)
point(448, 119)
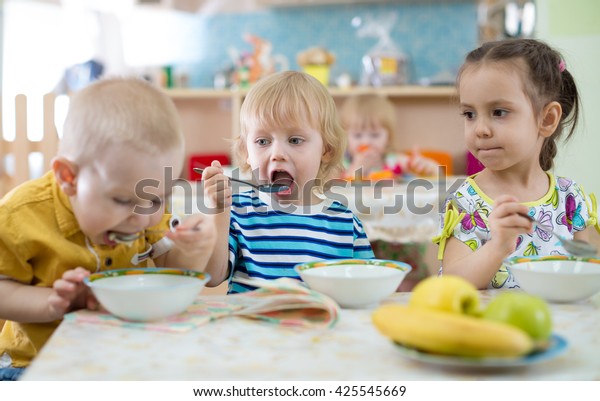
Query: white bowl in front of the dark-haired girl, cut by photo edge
point(557, 278)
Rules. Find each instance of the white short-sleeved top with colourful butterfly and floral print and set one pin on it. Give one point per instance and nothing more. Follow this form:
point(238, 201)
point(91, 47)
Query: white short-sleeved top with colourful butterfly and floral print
point(564, 208)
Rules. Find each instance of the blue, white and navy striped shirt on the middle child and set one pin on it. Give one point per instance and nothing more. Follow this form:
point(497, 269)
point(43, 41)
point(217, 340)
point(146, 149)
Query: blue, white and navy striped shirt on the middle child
point(266, 242)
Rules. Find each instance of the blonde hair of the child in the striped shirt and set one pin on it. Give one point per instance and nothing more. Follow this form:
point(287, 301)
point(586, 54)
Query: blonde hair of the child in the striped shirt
point(293, 99)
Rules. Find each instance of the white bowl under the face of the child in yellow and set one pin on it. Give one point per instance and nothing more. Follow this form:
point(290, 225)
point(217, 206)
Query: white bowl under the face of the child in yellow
point(146, 294)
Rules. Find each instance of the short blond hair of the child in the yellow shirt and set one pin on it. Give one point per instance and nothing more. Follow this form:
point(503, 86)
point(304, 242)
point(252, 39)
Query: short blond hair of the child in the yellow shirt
point(120, 111)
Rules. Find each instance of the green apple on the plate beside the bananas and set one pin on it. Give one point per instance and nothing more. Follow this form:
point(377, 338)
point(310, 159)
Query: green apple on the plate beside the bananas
point(525, 311)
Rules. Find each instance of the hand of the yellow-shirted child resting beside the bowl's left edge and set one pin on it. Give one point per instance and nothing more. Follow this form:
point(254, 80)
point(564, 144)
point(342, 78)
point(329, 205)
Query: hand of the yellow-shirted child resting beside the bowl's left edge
point(69, 293)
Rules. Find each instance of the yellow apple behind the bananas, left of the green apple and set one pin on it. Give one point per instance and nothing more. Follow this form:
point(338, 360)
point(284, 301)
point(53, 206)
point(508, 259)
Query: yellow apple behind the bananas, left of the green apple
point(446, 293)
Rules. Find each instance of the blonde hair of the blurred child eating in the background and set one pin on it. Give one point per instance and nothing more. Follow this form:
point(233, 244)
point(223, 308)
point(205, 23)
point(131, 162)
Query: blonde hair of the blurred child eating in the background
point(367, 112)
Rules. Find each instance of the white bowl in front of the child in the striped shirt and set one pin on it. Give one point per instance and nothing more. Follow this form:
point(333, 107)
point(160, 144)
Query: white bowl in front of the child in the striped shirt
point(354, 283)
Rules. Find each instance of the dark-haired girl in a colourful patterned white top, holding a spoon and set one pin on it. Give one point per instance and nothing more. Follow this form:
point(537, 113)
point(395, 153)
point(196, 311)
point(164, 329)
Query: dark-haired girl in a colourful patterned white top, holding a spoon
point(517, 97)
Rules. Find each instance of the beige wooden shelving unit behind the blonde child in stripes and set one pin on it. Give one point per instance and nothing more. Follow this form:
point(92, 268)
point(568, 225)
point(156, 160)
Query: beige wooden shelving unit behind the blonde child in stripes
point(427, 117)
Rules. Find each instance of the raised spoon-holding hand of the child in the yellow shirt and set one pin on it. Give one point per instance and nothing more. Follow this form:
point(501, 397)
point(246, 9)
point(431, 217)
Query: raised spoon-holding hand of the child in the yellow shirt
point(197, 235)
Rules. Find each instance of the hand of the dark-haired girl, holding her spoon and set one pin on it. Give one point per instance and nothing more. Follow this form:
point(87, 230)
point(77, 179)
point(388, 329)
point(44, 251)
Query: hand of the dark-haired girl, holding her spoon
point(506, 224)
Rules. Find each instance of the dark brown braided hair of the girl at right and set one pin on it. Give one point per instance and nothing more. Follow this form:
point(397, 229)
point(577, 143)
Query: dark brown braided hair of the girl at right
point(545, 80)
